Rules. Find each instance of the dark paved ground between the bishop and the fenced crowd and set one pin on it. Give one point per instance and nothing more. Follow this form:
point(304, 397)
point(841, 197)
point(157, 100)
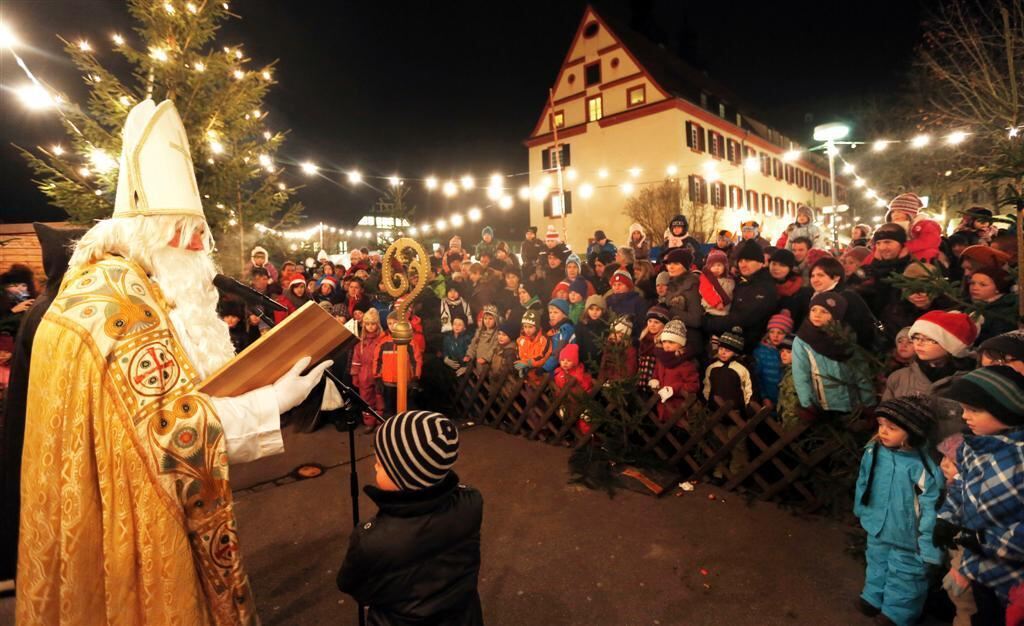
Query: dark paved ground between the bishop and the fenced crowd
point(553, 554)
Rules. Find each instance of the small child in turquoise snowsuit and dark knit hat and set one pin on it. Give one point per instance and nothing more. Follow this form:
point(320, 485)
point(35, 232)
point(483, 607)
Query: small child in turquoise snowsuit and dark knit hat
point(897, 500)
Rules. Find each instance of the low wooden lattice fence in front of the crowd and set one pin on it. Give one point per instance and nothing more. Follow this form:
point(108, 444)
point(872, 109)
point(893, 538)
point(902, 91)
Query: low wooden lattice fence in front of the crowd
point(749, 450)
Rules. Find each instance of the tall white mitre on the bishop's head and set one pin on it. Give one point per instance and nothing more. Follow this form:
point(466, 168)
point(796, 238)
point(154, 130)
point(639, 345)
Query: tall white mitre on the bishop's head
point(157, 176)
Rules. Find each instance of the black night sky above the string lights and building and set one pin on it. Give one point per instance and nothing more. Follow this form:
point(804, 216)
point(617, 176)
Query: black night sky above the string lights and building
point(450, 88)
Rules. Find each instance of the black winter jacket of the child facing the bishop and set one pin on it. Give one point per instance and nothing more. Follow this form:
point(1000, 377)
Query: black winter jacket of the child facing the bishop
point(419, 560)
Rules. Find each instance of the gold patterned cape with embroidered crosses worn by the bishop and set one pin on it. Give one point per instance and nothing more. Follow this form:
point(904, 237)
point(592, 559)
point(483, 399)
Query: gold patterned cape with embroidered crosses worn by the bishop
point(126, 511)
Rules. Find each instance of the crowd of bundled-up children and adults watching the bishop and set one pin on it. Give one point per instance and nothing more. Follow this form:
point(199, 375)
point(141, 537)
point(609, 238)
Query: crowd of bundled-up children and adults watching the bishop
point(904, 324)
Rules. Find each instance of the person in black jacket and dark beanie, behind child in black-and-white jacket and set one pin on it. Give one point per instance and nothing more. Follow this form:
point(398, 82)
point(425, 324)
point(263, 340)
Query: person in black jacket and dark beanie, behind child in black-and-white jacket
point(754, 302)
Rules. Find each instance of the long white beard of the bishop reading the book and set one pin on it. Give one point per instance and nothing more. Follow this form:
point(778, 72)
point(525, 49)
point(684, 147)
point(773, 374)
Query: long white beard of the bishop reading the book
point(186, 277)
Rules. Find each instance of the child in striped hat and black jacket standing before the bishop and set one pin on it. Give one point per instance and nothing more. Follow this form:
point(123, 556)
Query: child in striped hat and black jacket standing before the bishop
point(419, 559)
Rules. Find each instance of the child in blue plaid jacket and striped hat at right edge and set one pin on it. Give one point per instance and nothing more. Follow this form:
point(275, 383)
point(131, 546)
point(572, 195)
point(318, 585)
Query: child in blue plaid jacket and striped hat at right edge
point(984, 510)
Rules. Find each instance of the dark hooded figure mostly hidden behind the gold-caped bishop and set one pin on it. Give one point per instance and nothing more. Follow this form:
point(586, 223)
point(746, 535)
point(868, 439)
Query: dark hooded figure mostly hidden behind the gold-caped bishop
point(56, 245)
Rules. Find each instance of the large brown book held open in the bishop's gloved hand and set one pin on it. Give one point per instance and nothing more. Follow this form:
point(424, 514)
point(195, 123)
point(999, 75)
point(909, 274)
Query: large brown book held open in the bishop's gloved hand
point(311, 331)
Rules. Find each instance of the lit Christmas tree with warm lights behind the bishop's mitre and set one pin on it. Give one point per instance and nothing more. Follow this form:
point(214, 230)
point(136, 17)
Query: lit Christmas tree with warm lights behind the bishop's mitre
point(174, 57)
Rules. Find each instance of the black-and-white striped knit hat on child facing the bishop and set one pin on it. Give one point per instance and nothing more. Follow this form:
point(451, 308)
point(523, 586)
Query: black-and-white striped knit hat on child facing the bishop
point(417, 449)
